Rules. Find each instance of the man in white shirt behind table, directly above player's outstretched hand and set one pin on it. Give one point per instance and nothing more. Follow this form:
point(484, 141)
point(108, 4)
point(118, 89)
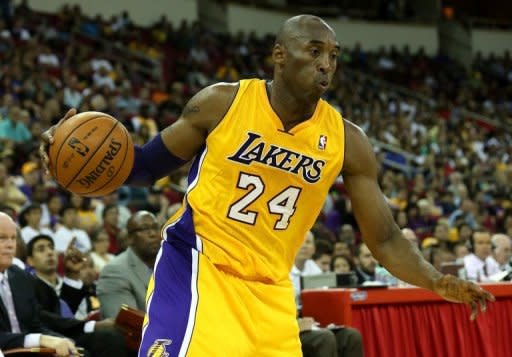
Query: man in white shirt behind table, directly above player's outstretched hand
point(480, 265)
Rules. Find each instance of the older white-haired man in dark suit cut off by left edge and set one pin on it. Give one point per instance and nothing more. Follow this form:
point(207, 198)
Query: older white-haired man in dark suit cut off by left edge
point(20, 325)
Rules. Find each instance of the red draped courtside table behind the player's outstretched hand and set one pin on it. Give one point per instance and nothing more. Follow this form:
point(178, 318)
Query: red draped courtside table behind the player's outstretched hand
point(410, 322)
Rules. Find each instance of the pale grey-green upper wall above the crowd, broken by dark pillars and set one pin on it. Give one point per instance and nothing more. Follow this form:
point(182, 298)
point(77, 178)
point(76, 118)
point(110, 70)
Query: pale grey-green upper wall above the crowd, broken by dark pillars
point(243, 18)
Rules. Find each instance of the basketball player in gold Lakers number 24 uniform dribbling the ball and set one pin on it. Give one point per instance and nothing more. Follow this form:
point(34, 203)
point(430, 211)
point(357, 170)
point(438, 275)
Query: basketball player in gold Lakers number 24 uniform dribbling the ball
point(265, 155)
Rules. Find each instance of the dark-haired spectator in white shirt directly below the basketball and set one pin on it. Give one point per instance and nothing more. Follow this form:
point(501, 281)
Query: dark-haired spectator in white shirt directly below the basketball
point(68, 230)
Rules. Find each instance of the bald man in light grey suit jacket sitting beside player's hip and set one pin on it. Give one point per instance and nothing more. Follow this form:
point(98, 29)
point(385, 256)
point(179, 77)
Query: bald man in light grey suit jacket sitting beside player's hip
point(125, 279)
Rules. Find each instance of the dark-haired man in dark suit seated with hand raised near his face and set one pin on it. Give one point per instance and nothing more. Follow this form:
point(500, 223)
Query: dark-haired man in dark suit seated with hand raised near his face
point(100, 338)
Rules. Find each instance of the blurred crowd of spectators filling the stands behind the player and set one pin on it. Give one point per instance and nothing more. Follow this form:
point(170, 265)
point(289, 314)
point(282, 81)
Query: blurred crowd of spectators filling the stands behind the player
point(445, 171)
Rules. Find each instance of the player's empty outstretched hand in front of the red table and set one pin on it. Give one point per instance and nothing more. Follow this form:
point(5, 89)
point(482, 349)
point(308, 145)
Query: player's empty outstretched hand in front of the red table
point(456, 290)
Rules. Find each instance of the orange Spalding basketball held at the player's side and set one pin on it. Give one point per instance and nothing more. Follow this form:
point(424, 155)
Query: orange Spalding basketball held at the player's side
point(92, 154)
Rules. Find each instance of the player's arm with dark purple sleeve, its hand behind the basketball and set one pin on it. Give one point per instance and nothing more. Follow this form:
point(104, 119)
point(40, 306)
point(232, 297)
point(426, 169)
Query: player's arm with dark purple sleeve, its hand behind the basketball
point(177, 143)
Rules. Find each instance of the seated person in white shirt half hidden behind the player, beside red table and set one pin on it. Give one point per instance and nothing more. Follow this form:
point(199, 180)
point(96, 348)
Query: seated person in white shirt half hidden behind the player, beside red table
point(320, 342)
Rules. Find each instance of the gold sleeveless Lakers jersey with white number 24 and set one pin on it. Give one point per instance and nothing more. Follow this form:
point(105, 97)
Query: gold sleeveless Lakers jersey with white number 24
point(256, 189)
